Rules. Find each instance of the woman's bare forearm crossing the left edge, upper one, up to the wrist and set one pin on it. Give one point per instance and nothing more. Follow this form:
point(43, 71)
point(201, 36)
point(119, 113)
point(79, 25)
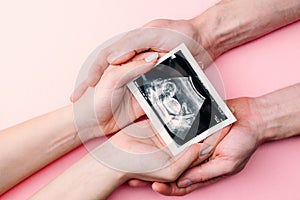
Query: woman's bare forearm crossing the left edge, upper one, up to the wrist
point(27, 147)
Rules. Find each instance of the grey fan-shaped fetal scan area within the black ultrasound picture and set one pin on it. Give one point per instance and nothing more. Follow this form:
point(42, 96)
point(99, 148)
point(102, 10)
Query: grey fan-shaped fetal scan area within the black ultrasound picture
point(176, 107)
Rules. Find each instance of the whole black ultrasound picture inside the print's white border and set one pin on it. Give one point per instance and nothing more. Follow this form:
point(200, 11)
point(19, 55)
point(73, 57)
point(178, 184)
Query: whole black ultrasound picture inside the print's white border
point(177, 96)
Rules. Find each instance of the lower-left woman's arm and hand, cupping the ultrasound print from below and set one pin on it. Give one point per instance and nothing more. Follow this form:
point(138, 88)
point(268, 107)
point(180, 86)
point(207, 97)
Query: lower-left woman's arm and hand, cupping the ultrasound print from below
point(89, 178)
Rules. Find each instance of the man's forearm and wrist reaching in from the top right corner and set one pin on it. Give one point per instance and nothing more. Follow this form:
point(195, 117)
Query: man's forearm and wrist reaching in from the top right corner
point(231, 23)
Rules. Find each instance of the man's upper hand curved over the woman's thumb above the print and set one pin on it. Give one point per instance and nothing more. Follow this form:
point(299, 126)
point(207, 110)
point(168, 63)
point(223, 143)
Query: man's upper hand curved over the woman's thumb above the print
point(158, 35)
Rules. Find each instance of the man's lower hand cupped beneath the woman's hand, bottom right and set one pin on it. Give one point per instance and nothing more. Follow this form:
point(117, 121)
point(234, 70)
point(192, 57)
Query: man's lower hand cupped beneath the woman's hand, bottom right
point(230, 155)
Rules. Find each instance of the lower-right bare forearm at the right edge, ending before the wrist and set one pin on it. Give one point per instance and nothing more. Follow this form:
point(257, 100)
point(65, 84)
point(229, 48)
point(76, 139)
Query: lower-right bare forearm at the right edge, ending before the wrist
point(280, 113)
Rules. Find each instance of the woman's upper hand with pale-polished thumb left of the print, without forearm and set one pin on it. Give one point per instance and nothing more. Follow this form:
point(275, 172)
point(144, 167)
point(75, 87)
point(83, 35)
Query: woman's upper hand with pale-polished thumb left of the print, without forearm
point(110, 105)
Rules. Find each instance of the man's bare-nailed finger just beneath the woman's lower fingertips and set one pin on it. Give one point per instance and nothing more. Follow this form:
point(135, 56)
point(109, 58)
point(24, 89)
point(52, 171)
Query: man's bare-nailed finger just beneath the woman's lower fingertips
point(212, 169)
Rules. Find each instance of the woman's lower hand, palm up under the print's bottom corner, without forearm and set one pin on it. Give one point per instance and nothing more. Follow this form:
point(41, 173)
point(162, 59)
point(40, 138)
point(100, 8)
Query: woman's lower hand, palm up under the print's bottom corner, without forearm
point(138, 152)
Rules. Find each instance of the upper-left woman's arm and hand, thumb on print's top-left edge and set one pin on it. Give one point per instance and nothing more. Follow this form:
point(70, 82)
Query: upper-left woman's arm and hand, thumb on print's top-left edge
point(48, 137)
